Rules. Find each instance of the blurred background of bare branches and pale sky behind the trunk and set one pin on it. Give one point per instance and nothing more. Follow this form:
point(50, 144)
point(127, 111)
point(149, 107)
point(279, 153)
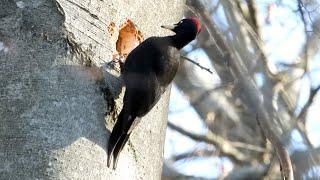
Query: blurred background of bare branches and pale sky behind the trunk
point(215, 128)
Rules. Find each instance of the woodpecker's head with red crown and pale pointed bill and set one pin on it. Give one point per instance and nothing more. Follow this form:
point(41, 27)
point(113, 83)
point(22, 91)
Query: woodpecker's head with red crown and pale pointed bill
point(191, 26)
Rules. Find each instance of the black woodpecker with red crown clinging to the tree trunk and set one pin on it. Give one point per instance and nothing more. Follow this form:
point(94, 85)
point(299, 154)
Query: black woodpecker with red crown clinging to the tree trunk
point(147, 71)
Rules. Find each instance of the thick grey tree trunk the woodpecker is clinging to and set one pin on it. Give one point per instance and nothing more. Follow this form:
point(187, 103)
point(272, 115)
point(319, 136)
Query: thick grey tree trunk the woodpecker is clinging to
point(51, 107)
